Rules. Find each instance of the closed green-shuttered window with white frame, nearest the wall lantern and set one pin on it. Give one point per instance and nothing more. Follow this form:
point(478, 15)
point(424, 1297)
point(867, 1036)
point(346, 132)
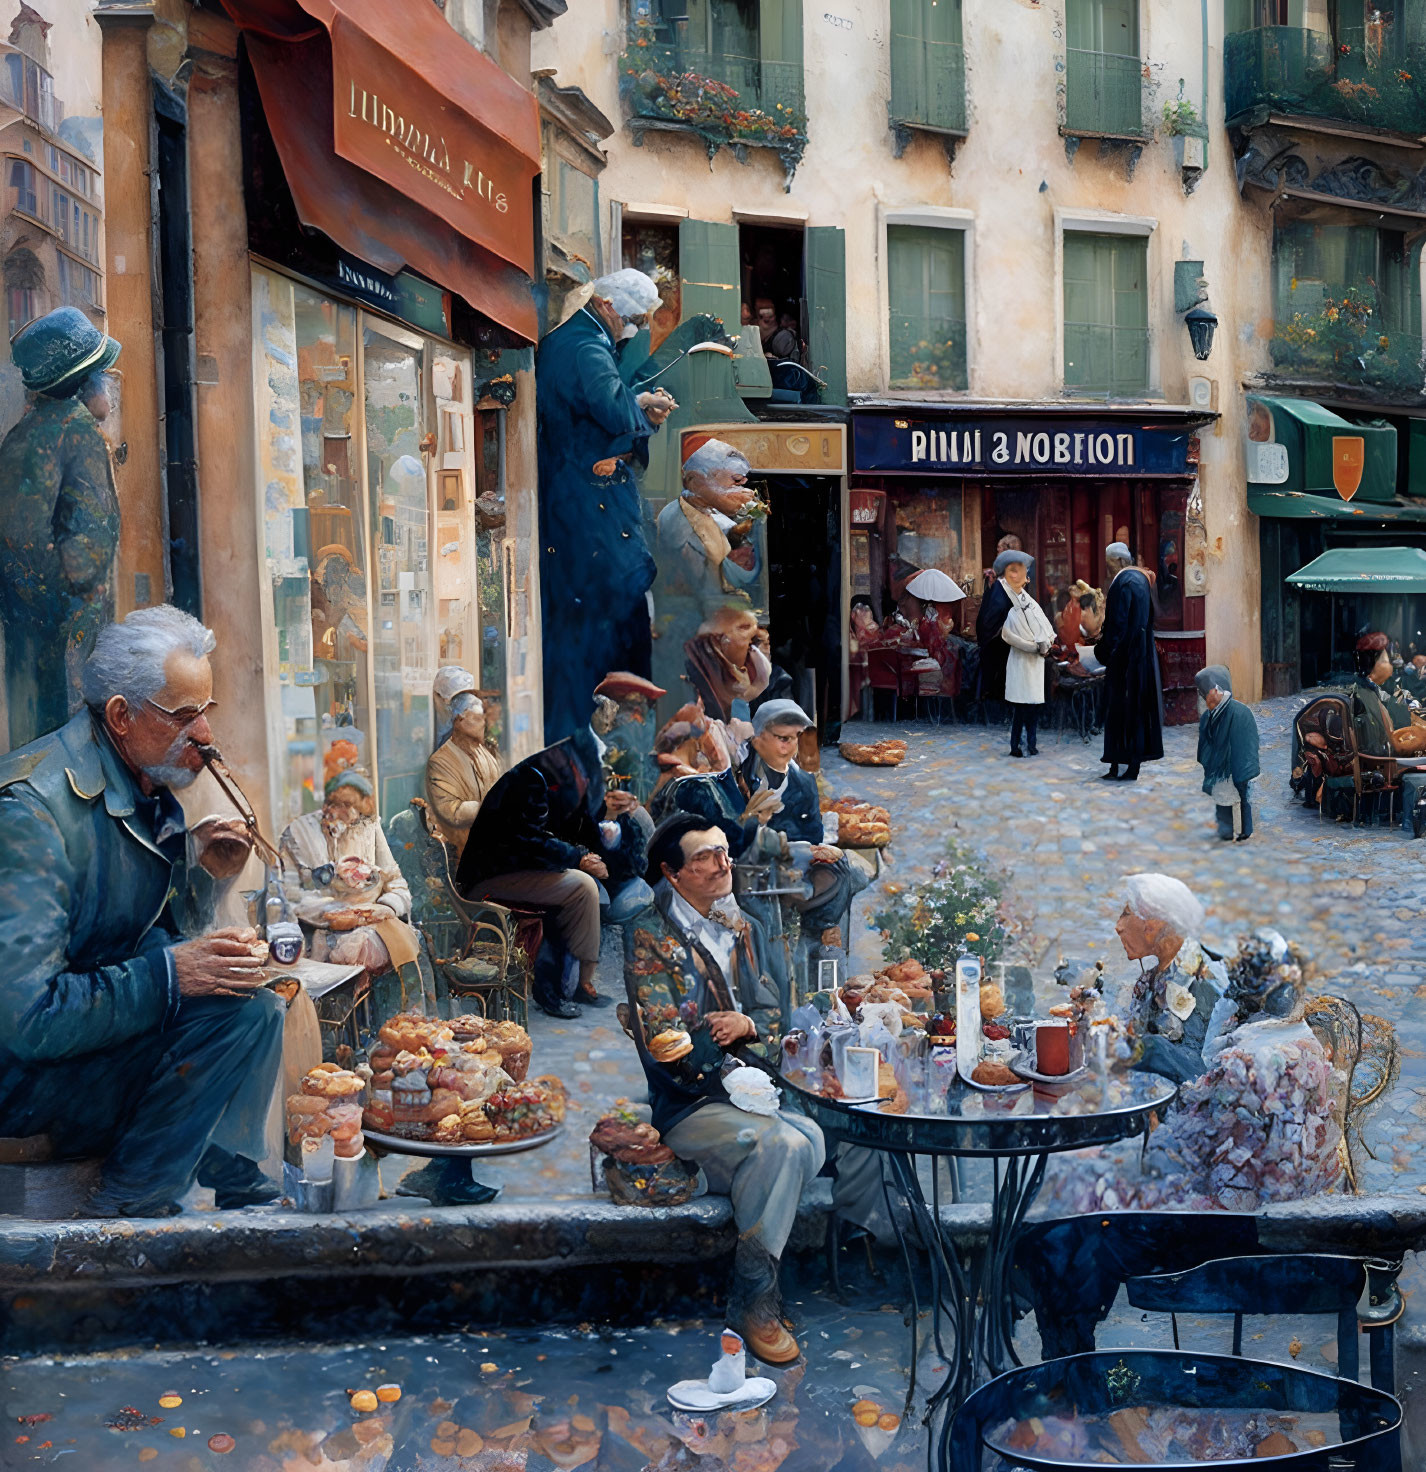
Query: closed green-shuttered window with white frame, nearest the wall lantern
point(1106, 316)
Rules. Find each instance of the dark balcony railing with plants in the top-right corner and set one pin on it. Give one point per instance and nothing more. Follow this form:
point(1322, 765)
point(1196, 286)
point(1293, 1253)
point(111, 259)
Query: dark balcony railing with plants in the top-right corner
point(1306, 74)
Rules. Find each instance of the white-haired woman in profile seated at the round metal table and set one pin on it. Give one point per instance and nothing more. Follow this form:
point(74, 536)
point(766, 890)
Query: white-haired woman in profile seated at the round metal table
point(1175, 997)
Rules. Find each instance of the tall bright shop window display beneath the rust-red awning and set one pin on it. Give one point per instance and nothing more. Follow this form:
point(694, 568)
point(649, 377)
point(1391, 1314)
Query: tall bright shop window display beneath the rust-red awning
point(363, 606)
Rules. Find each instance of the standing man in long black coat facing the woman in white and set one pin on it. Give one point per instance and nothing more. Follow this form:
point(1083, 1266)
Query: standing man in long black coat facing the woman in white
point(1134, 713)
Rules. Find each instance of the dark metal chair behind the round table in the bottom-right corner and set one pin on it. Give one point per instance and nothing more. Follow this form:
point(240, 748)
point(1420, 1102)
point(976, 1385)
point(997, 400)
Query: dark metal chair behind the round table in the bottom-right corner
point(1290, 1284)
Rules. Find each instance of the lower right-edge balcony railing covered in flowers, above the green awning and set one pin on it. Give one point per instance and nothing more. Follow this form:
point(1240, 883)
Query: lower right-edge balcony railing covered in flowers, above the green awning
point(1346, 342)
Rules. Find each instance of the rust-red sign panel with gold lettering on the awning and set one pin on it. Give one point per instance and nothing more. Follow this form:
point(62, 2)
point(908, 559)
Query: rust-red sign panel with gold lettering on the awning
point(401, 126)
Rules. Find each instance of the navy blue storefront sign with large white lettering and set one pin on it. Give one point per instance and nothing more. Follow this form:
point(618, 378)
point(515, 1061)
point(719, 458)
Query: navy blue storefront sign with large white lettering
point(968, 447)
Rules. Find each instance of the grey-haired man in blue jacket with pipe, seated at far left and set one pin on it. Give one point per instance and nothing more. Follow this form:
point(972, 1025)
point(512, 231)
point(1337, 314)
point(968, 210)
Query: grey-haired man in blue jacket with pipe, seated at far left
point(120, 1038)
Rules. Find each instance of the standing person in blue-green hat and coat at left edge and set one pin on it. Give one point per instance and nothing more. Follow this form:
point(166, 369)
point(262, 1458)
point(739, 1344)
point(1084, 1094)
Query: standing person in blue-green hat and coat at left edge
point(60, 520)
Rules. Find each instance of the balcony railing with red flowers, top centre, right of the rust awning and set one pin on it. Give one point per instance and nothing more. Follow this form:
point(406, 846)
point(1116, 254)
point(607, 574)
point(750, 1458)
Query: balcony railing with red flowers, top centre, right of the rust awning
point(728, 101)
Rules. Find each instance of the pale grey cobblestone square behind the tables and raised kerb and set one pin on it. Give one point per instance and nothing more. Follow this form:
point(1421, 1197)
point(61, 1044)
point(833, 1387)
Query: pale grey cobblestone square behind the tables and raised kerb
point(1063, 840)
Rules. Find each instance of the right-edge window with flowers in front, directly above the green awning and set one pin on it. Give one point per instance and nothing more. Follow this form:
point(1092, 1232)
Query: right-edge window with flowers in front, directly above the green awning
point(1347, 302)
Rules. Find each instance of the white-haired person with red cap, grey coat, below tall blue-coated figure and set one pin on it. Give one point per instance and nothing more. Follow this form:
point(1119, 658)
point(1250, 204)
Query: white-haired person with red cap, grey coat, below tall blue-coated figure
point(710, 541)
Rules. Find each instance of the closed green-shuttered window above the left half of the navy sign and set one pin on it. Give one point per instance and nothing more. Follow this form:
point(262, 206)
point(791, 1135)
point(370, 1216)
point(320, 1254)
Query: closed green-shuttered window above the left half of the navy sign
point(926, 280)
